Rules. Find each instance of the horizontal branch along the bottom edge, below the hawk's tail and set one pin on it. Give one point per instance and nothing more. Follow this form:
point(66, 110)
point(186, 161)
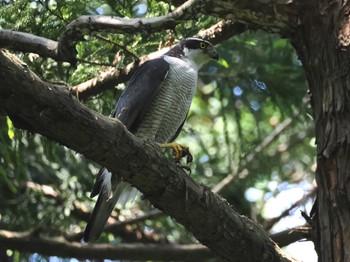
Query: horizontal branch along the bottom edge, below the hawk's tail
point(34, 243)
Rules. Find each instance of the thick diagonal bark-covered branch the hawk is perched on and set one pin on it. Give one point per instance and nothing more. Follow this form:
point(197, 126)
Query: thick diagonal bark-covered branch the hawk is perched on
point(51, 111)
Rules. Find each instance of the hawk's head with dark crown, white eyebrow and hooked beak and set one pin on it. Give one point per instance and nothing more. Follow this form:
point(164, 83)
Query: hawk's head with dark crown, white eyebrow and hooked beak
point(197, 50)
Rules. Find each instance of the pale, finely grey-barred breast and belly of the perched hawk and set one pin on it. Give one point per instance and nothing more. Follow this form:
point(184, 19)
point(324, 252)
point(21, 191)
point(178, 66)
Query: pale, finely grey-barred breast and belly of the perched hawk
point(171, 102)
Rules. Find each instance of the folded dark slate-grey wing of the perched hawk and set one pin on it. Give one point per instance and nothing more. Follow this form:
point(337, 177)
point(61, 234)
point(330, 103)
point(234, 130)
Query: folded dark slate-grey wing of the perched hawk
point(139, 92)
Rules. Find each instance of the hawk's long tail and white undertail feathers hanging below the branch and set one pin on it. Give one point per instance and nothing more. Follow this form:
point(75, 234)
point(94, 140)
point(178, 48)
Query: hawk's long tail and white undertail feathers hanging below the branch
point(111, 191)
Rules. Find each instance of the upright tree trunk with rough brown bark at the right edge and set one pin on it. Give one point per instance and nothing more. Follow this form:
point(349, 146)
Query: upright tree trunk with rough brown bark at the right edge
point(322, 45)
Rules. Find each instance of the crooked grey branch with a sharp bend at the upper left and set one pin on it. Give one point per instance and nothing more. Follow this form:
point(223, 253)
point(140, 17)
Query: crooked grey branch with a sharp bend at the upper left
point(64, 49)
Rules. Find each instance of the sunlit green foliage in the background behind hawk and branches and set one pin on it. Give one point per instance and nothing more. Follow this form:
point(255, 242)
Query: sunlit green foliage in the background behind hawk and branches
point(257, 84)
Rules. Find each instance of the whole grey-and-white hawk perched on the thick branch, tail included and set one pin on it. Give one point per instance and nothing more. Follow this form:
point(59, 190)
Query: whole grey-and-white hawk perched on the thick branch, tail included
point(153, 106)
